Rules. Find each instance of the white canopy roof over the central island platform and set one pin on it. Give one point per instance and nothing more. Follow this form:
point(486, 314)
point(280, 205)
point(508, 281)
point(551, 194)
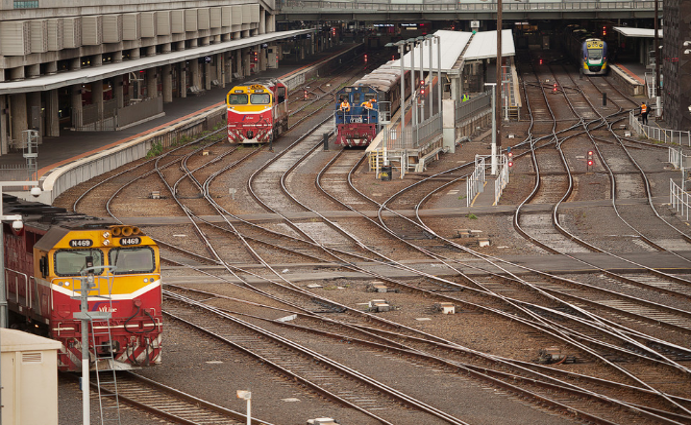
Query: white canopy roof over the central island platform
point(482, 45)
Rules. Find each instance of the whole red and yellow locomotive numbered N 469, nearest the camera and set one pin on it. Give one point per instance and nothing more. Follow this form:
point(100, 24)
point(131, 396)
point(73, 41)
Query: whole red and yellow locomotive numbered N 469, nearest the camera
point(47, 263)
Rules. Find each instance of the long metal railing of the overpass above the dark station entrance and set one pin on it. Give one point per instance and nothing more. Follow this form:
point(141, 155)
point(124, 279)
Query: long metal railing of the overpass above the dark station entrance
point(384, 6)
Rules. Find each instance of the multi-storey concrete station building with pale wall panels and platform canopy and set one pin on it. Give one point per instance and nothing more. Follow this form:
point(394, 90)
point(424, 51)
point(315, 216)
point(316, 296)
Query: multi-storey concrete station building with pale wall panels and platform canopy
point(107, 65)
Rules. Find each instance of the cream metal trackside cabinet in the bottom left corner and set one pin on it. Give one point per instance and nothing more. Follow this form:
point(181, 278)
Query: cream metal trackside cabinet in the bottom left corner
point(29, 378)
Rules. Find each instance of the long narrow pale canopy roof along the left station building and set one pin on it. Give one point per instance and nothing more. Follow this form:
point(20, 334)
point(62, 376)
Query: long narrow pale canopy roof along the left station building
point(96, 73)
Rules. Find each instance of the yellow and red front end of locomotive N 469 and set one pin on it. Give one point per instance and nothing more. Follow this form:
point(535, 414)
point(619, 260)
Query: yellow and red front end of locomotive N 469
point(119, 268)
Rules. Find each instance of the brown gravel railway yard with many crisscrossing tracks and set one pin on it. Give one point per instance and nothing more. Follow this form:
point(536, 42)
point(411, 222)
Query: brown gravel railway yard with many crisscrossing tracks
point(297, 275)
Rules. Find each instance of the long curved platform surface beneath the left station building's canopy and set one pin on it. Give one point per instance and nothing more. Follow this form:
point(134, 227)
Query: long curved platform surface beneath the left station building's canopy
point(72, 145)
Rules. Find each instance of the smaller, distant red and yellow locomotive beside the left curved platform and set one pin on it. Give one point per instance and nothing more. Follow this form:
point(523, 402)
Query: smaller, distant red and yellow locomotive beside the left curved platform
point(257, 112)
